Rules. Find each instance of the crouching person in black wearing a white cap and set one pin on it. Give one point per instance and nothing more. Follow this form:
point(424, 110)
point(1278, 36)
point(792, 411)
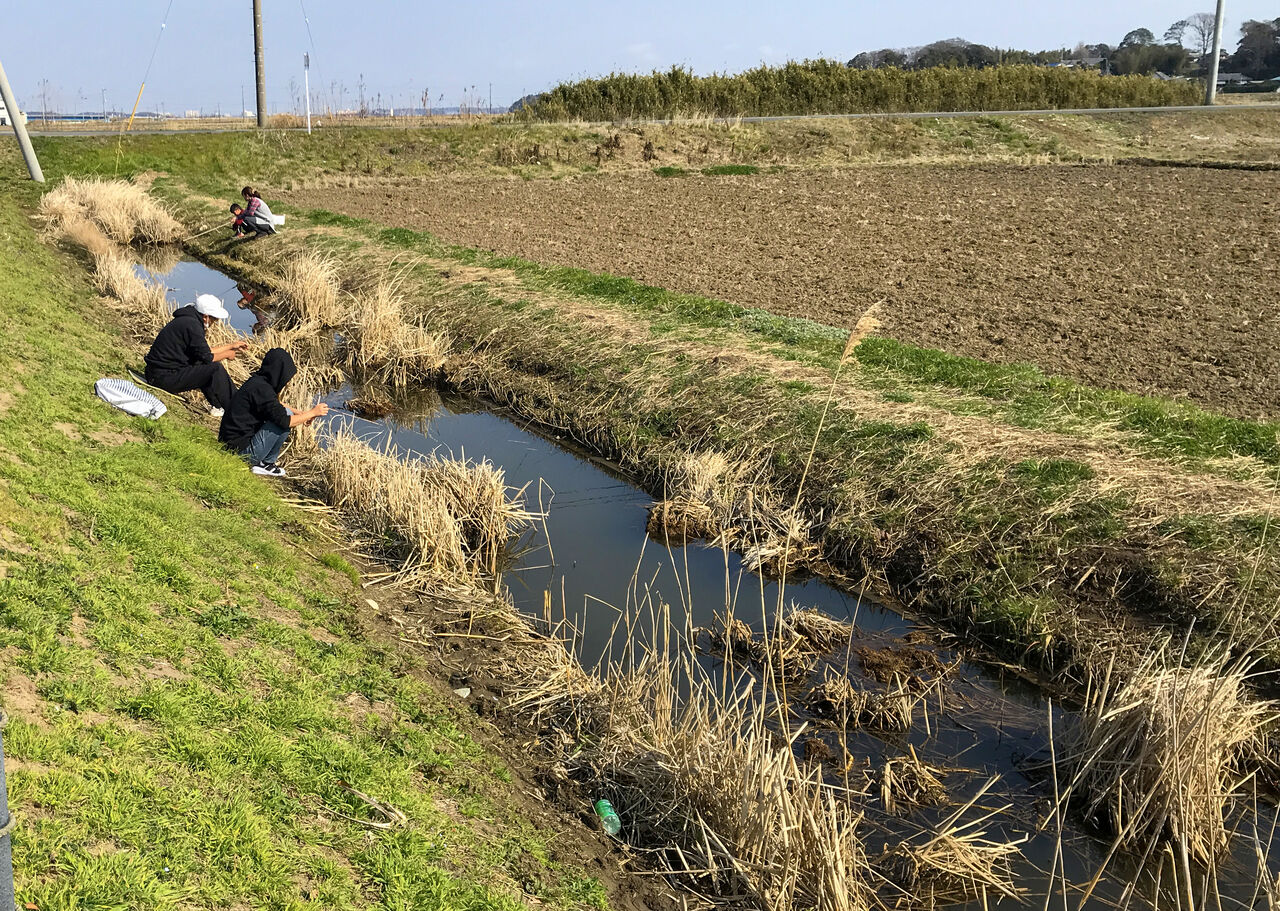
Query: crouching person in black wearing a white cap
point(181, 358)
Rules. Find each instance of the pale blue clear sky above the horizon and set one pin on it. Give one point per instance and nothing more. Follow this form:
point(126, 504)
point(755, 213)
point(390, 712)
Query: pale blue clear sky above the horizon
point(205, 56)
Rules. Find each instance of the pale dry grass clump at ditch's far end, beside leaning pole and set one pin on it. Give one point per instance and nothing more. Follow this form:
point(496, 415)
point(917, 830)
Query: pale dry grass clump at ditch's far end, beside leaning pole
point(124, 212)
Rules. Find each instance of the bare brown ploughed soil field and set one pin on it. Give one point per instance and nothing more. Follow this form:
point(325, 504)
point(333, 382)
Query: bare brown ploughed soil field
point(1149, 280)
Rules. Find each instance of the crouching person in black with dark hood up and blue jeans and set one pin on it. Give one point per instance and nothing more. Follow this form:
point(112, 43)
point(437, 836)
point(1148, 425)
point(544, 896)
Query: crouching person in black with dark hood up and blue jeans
point(257, 424)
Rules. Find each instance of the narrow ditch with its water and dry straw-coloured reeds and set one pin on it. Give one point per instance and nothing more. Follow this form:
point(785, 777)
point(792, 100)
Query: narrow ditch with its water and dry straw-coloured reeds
point(779, 749)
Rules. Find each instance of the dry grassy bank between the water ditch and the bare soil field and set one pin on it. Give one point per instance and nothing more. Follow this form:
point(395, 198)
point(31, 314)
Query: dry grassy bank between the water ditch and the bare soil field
point(1011, 503)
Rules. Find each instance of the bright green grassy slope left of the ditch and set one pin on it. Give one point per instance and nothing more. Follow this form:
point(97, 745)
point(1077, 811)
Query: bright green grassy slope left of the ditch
point(190, 689)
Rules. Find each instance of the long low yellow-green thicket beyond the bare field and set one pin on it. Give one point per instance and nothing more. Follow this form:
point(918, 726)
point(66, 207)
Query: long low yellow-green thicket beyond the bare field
point(831, 88)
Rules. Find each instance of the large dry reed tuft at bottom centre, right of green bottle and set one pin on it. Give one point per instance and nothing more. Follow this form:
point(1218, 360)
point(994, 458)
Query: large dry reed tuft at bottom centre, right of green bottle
point(705, 784)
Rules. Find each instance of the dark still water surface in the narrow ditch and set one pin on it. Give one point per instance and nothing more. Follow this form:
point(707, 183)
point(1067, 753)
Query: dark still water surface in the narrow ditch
point(884, 704)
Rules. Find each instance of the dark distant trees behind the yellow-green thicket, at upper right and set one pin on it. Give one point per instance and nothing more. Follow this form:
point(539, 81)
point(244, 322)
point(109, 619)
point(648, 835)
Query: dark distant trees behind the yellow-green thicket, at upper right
point(1182, 51)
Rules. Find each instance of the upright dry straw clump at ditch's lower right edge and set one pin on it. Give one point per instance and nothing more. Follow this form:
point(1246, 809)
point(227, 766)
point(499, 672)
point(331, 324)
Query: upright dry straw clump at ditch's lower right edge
point(1155, 754)
